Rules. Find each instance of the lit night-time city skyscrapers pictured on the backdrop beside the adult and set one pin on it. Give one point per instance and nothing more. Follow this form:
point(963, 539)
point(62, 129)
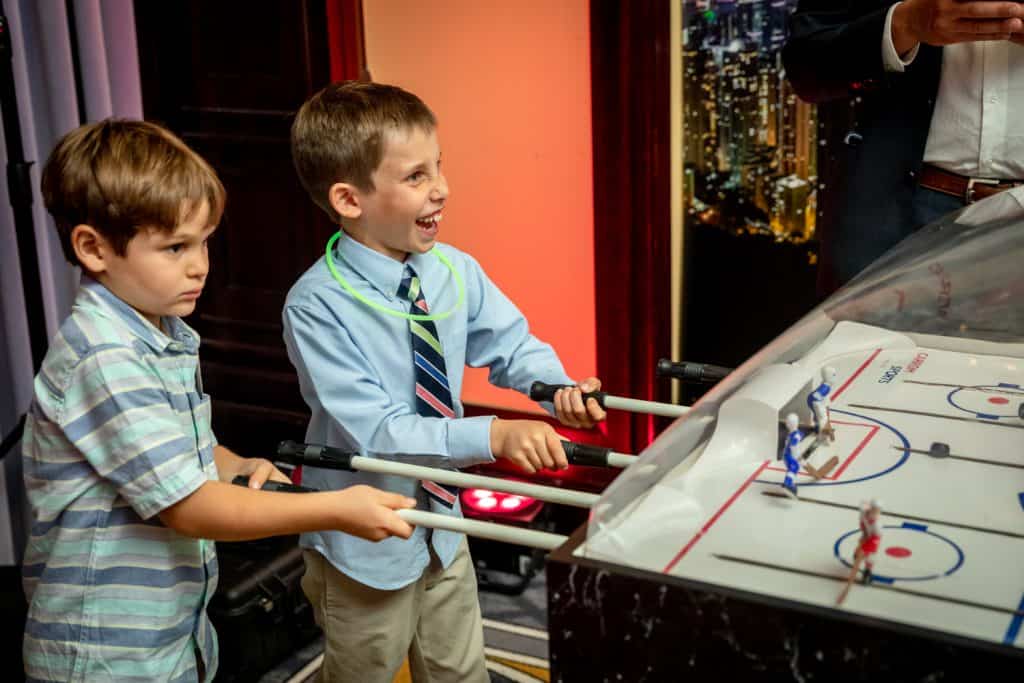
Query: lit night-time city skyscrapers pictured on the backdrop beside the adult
point(750, 145)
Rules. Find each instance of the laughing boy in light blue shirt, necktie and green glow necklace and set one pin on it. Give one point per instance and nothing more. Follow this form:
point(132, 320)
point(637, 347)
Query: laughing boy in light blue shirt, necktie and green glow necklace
point(369, 156)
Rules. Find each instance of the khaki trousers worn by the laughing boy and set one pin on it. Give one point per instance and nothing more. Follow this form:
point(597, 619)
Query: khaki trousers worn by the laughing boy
point(368, 633)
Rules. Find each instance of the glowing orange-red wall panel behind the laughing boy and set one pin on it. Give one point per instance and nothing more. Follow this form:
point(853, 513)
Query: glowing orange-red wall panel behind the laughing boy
point(510, 84)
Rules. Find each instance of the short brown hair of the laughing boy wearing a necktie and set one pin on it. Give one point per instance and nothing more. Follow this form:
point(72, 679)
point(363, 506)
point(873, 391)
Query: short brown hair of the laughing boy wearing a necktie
point(338, 136)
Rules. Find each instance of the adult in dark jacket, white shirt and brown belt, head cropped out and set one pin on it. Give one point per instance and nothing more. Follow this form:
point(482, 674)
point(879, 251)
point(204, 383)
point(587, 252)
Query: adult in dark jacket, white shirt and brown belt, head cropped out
point(923, 143)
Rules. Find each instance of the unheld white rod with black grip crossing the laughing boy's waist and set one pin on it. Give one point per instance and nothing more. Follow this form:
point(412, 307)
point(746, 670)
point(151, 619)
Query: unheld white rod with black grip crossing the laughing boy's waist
point(329, 458)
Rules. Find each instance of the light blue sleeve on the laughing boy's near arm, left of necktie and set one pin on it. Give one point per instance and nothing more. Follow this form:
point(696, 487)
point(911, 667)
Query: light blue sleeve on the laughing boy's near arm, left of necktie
point(336, 377)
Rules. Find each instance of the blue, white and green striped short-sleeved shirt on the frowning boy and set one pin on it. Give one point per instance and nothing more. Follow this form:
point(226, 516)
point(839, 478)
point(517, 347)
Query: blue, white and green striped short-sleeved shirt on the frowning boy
point(119, 430)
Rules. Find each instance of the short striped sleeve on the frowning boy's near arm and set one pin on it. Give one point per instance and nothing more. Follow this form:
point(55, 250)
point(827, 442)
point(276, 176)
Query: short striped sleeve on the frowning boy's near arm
point(120, 417)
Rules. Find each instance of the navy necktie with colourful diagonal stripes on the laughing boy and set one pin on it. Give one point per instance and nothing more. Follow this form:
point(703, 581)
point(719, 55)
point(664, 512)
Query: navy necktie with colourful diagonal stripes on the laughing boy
point(434, 397)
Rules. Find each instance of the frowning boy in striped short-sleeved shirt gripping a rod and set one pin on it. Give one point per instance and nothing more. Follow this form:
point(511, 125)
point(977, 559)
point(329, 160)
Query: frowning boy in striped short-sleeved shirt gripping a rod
point(122, 471)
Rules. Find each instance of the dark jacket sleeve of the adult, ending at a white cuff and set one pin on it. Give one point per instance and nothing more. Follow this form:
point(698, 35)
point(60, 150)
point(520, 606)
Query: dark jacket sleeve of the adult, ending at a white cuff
point(835, 49)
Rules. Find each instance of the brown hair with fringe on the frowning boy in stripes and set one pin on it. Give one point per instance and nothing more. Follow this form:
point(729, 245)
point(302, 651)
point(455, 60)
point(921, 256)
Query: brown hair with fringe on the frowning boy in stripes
point(121, 177)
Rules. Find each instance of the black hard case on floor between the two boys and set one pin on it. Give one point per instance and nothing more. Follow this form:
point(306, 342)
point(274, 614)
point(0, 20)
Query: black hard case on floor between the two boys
point(260, 611)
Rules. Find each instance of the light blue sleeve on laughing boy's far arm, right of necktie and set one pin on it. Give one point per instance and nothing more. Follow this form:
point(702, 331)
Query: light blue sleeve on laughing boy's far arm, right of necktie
point(499, 338)
